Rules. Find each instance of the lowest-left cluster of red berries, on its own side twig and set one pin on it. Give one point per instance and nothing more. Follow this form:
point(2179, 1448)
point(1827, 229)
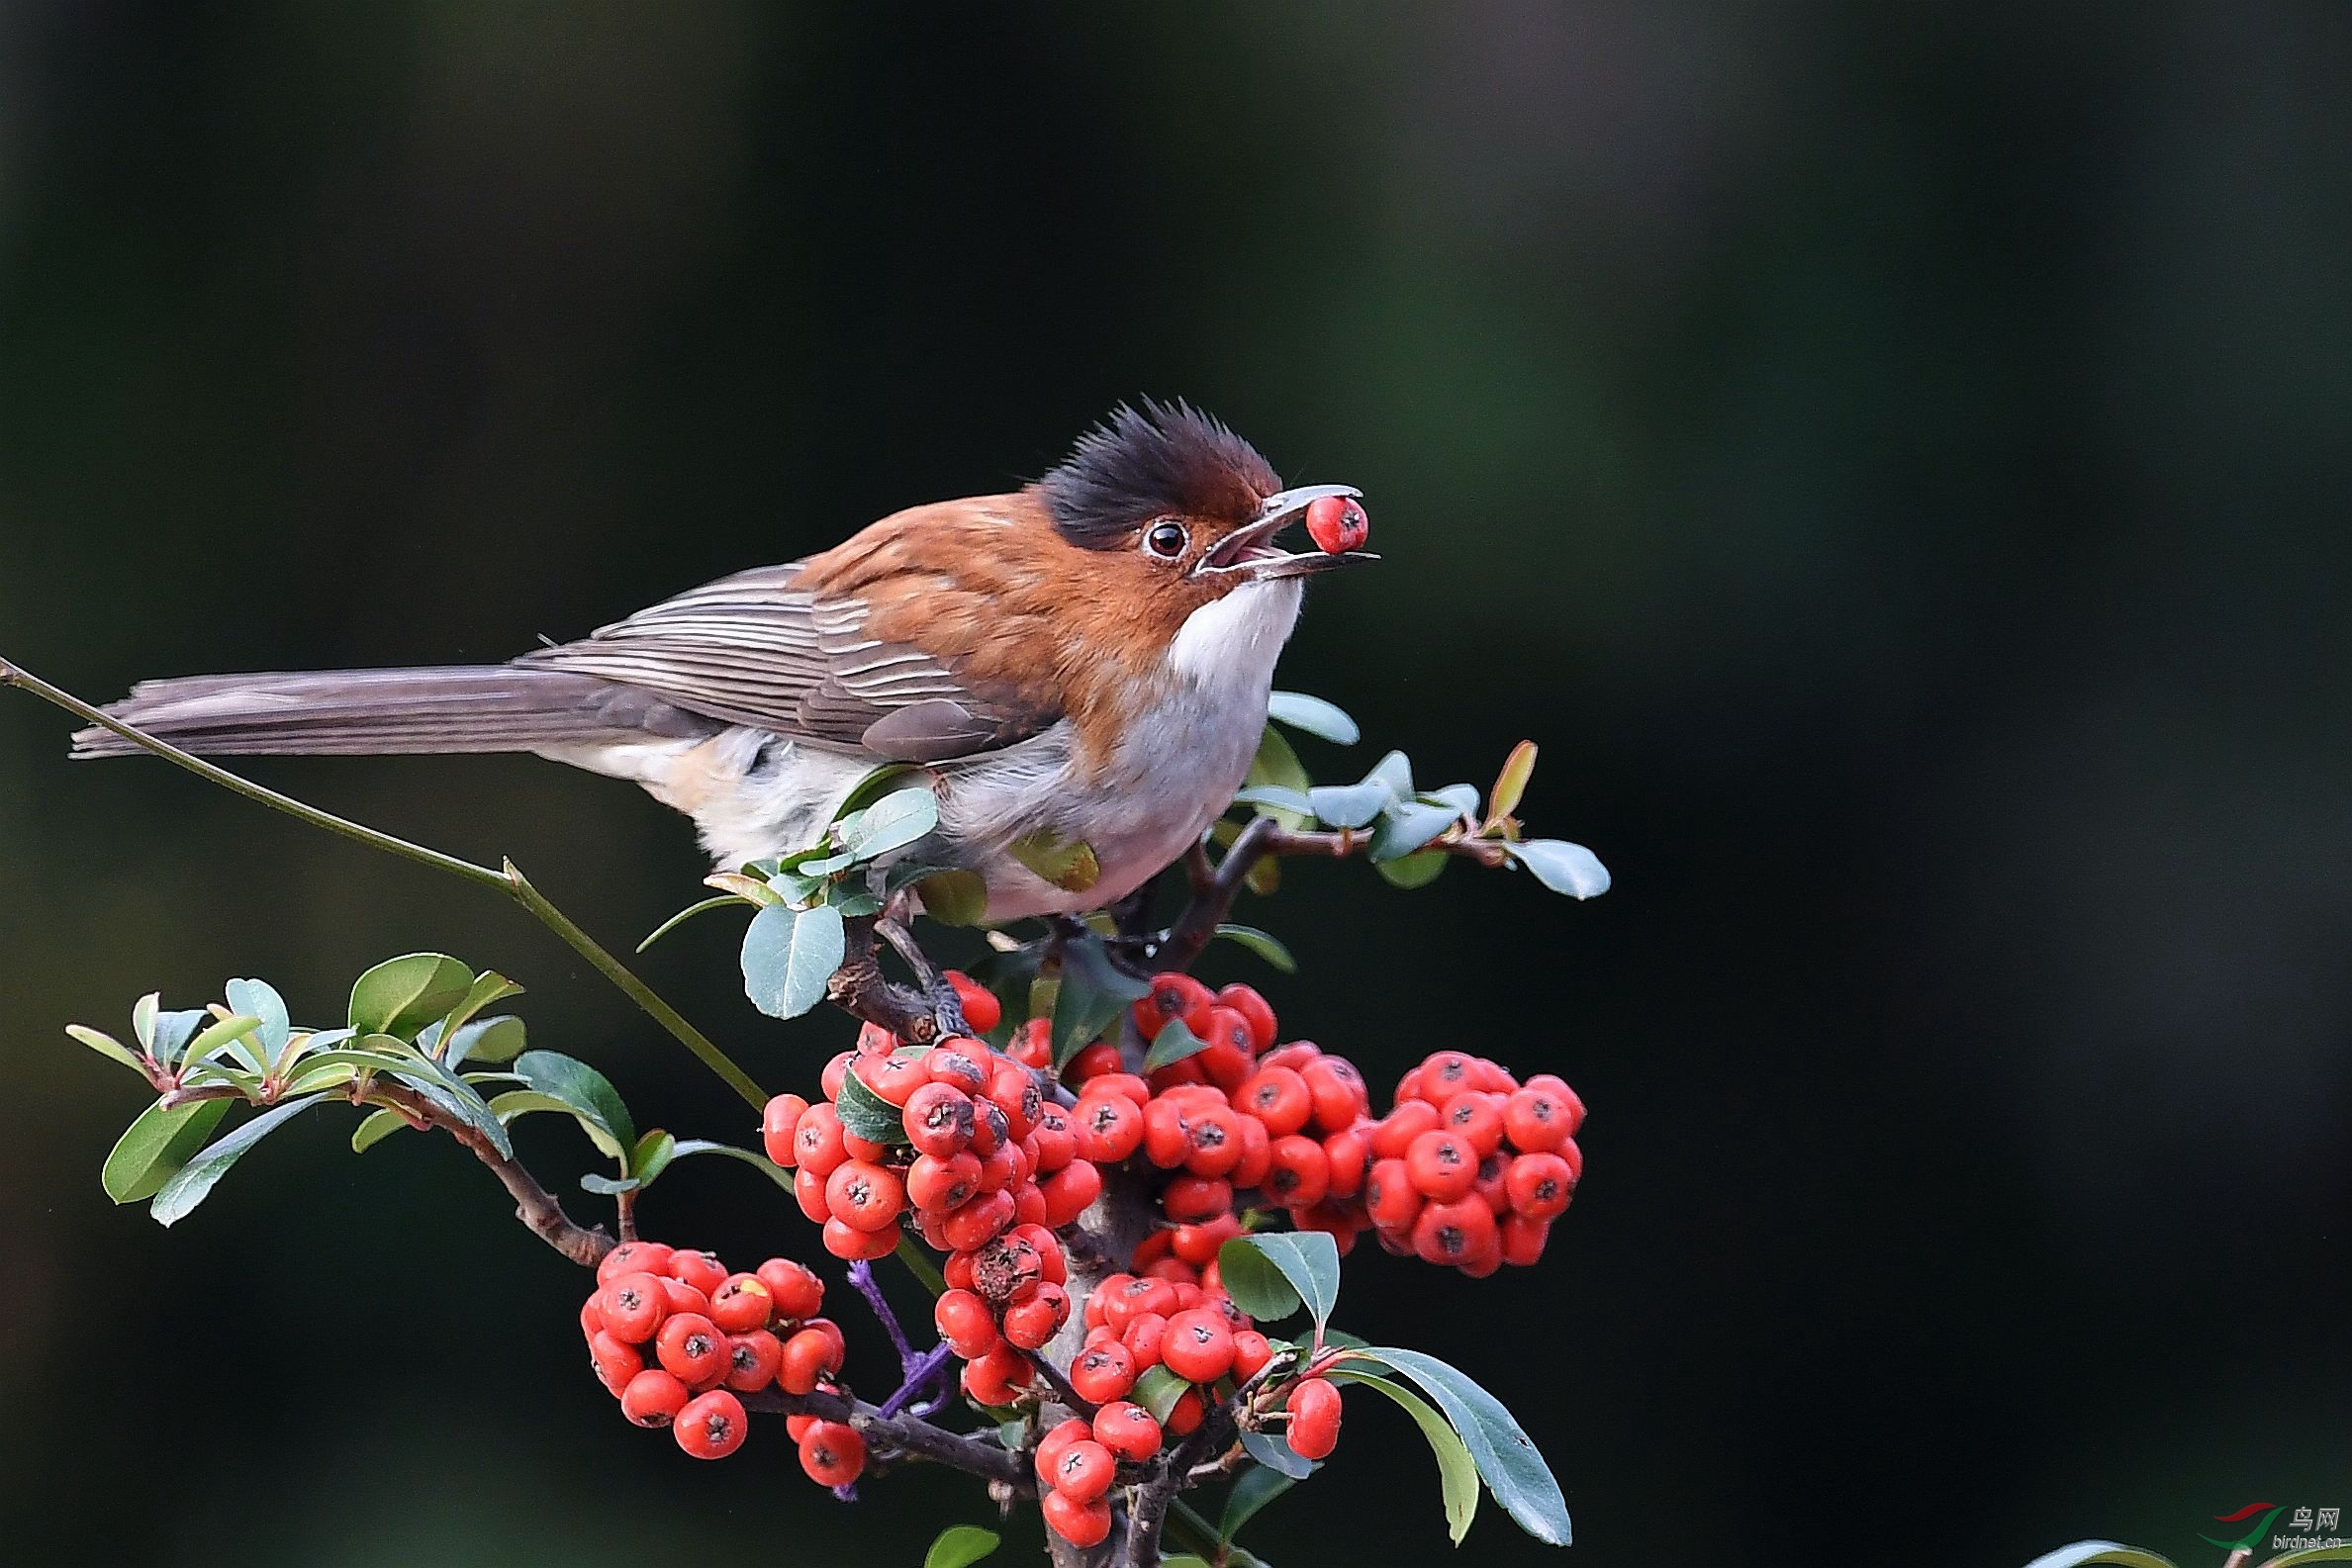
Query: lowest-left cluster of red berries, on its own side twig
point(674, 1336)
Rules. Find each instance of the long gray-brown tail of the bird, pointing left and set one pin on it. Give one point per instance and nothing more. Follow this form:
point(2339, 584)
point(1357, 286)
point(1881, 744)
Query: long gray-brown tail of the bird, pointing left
point(361, 713)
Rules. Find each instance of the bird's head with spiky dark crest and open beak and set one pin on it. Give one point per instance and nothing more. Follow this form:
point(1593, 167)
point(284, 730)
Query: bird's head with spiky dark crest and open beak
point(1177, 514)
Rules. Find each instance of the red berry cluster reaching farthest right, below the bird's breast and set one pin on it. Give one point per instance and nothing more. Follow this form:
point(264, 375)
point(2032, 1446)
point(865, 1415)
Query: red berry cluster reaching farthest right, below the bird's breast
point(1466, 1170)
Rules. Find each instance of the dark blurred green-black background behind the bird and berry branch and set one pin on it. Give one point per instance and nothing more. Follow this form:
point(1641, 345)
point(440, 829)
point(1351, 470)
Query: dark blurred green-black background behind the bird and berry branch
point(1895, 460)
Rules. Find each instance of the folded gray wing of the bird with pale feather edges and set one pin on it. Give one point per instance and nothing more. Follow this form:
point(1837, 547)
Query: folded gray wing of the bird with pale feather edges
point(754, 650)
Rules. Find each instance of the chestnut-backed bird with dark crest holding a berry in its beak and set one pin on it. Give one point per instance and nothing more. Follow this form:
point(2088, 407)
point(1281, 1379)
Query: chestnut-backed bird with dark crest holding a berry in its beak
point(1081, 662)
